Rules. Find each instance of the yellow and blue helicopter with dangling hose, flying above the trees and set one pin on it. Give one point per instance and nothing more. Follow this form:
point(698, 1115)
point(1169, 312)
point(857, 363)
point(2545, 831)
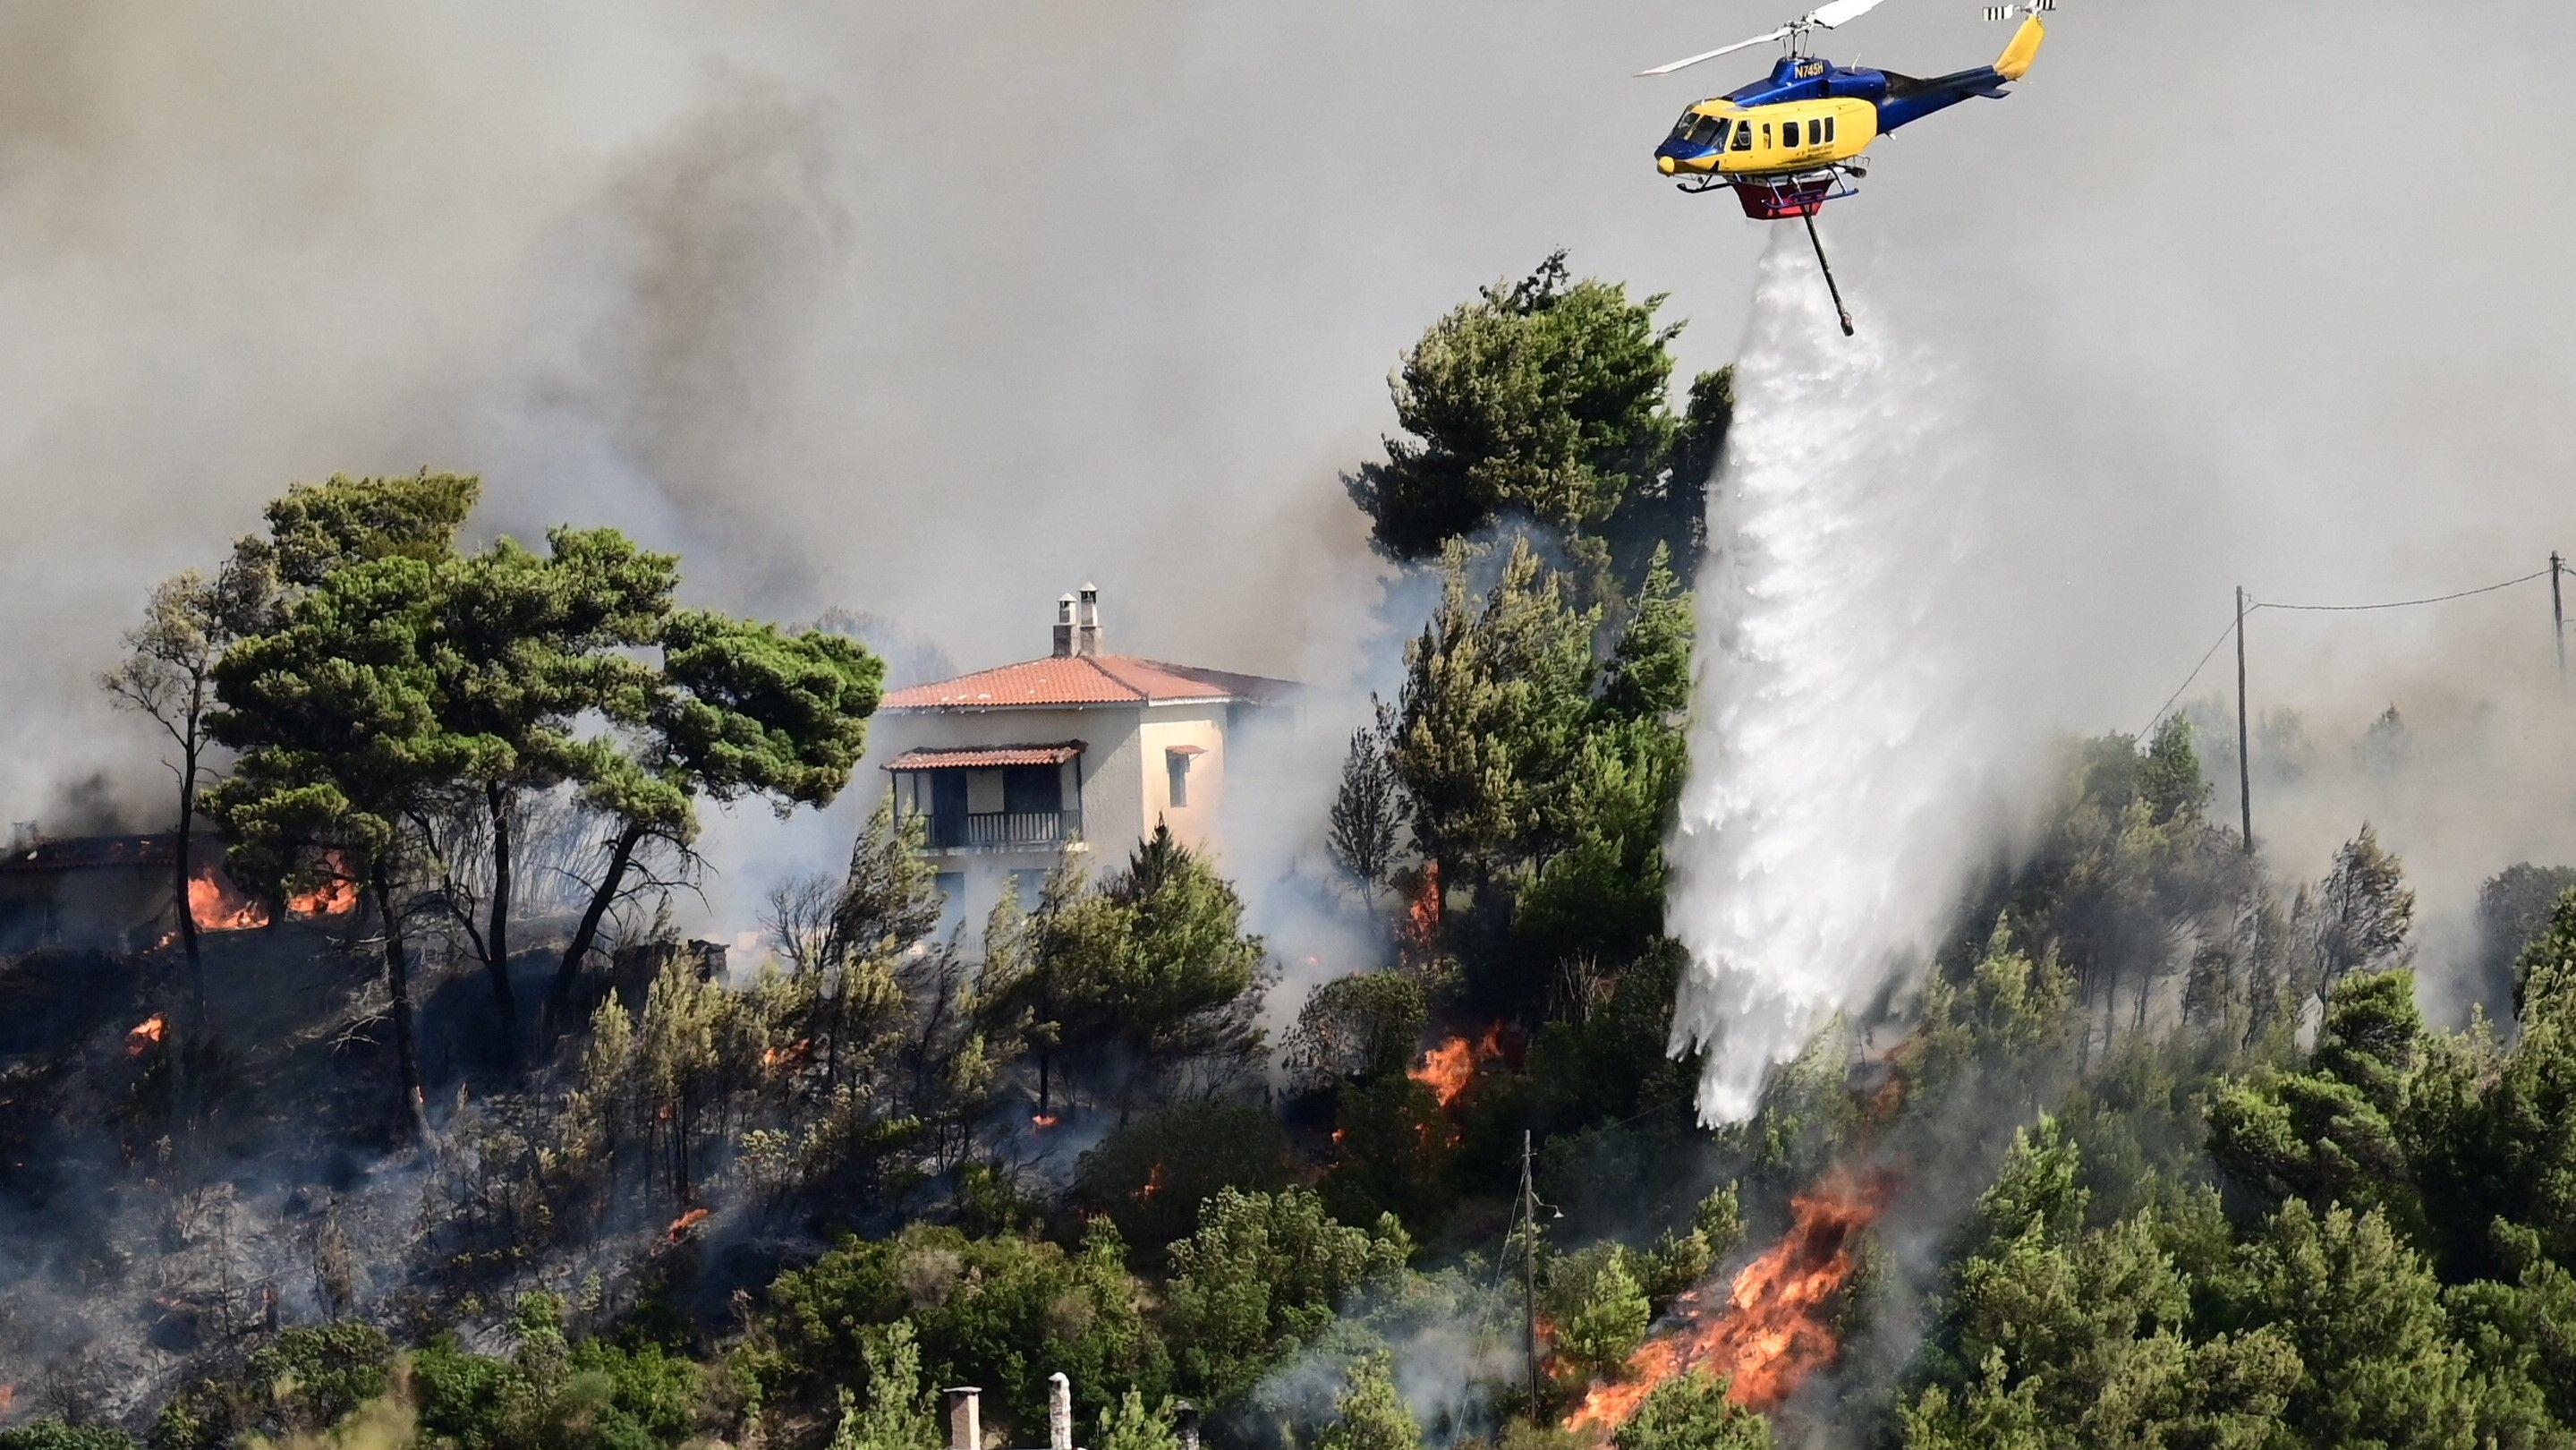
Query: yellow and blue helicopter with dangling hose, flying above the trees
point(1797, 138)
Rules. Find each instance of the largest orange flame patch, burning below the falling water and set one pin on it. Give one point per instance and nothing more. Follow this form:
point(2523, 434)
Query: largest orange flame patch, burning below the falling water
point(1771, 1330)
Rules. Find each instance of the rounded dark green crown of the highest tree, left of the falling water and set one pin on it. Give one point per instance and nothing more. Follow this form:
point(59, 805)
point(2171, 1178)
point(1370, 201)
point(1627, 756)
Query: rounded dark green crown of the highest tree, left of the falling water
point(1542, 398)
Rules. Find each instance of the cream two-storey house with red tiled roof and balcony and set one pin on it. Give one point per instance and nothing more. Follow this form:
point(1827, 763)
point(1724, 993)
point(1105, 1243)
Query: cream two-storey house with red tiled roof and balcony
point(1078, 751)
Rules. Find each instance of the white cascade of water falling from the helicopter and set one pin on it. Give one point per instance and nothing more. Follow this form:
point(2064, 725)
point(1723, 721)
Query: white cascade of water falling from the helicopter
point(1835, 795)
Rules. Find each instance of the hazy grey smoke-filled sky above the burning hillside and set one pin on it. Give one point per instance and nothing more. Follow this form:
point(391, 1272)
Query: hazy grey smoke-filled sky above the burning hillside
point(939, 310)
